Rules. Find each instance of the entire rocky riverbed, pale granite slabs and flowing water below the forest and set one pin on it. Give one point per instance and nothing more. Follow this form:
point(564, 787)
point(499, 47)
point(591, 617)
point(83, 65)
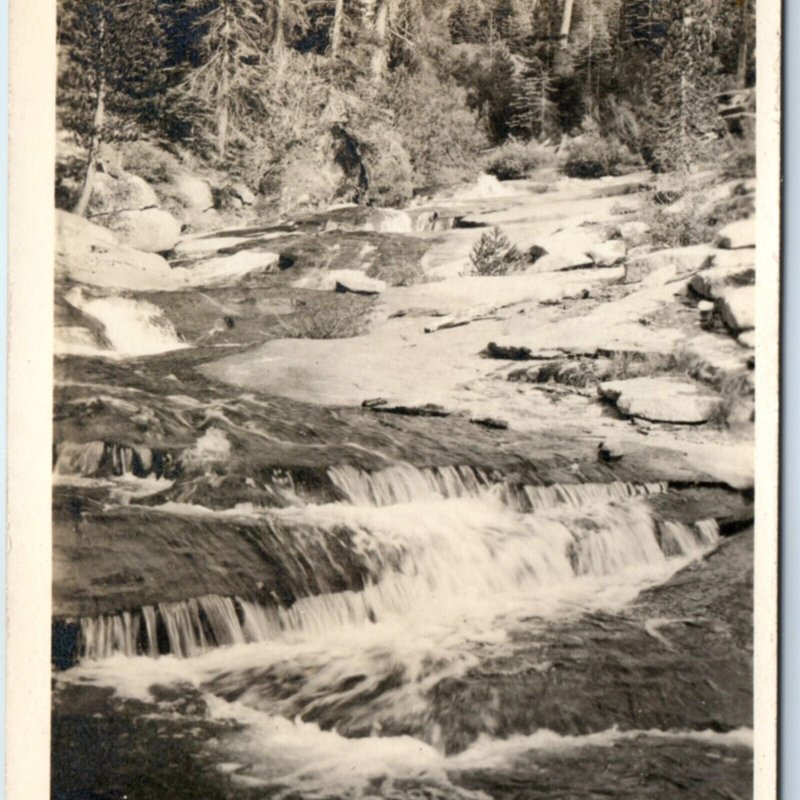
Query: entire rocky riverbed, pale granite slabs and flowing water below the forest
point(334, 518)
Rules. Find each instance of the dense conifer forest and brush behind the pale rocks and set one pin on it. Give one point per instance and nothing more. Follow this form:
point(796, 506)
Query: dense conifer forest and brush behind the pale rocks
point(309, 101)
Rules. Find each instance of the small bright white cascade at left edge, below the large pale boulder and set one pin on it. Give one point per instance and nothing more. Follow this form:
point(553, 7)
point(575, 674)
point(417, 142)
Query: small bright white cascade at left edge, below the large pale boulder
point(132, 327)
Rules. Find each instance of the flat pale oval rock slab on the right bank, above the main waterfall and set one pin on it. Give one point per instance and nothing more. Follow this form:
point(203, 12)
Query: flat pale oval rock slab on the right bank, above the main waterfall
point(661, 399)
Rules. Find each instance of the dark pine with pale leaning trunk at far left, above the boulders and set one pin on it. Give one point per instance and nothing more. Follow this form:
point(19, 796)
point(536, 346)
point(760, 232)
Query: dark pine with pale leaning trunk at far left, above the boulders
point(112, 80)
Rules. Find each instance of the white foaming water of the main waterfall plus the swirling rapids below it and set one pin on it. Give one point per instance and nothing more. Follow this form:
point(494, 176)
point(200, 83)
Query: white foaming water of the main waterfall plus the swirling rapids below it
point(454, 564)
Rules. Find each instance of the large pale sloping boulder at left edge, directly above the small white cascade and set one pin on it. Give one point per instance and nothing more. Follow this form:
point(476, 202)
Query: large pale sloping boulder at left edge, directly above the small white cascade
point(90, 254)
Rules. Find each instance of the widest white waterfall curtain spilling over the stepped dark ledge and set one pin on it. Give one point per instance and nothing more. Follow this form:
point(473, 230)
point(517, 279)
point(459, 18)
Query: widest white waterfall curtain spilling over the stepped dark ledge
point(436, 540)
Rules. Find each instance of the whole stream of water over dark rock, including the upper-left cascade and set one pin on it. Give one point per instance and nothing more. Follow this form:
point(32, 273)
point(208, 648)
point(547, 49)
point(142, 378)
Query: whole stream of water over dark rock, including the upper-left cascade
point(431, 630)
